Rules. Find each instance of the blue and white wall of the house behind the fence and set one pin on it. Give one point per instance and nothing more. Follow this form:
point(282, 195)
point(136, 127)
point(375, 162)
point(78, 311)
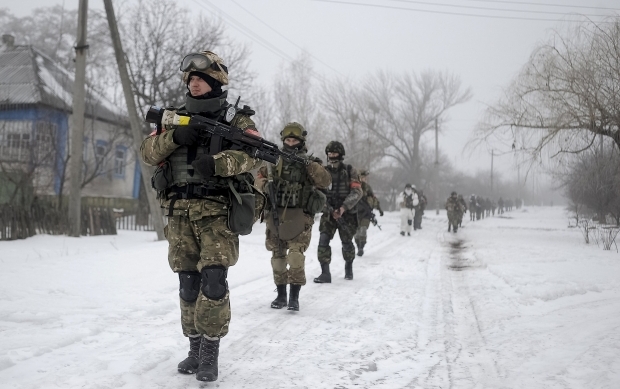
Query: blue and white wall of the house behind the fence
point(110, 162)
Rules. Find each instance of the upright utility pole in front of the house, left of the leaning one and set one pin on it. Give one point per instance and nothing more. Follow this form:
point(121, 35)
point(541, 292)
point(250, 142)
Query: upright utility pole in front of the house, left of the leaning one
point(77, 124)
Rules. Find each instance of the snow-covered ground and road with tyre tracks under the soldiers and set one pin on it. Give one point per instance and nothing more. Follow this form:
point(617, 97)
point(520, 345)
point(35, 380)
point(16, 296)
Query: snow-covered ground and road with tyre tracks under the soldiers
point(513, 302)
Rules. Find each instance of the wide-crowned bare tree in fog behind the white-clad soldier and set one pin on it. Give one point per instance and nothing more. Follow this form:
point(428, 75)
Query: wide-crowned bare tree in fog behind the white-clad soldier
point(403, 108)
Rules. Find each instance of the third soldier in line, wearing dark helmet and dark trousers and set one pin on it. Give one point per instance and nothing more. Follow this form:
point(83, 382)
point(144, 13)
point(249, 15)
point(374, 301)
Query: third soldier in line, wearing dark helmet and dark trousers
point(340, 212)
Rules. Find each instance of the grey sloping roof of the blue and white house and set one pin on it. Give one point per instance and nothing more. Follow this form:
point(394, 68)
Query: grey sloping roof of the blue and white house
point(27, 76)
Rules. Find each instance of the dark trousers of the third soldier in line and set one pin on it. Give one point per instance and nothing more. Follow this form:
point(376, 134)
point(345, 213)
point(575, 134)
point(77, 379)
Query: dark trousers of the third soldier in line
point(346, 230)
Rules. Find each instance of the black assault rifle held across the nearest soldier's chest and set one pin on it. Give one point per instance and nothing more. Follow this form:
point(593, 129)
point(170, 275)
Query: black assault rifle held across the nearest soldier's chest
point(213, 133)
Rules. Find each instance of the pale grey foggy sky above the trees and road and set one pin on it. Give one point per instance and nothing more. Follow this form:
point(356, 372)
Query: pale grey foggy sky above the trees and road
point(356, 40)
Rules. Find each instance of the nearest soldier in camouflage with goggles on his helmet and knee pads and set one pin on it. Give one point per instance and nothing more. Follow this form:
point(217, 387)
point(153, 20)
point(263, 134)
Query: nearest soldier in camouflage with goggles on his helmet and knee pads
point(195, 181)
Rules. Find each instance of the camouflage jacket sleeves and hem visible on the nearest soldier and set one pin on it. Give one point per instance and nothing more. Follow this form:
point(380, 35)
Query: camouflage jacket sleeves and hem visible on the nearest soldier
point(157, 147)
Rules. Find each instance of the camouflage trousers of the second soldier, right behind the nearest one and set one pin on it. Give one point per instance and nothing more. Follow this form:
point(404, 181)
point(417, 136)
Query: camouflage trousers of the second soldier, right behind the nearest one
point(289, 252)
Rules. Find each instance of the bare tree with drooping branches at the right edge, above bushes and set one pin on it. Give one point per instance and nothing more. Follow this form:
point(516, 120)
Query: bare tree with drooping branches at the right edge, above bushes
point(565, 95)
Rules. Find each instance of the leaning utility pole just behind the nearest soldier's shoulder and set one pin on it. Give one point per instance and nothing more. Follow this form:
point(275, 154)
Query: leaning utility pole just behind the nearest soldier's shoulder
point(134, 120)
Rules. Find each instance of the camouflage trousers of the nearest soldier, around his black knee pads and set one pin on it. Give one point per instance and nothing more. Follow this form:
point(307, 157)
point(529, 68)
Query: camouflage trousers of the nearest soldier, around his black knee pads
point(194, 244)
